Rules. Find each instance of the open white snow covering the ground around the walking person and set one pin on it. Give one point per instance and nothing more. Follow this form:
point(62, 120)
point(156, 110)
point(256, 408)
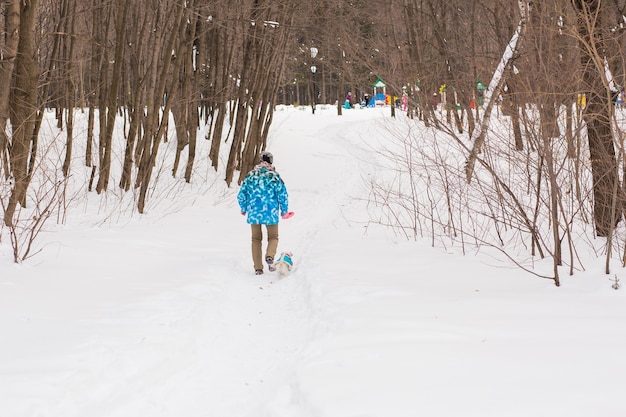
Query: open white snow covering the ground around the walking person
point(161, 315)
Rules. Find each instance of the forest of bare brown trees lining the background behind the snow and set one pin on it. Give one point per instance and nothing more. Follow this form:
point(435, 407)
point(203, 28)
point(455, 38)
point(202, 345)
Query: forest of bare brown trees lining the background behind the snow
point(227, 64)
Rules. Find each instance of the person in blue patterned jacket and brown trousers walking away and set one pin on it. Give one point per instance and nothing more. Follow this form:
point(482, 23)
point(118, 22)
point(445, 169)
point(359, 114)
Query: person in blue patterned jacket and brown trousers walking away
point(263, 197)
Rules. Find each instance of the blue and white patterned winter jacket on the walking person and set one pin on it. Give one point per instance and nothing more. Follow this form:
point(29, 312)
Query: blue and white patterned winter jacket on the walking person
point(263, 195)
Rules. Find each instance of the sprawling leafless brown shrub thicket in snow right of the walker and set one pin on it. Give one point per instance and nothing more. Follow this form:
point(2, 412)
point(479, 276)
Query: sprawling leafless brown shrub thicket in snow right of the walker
point(507, 206)
